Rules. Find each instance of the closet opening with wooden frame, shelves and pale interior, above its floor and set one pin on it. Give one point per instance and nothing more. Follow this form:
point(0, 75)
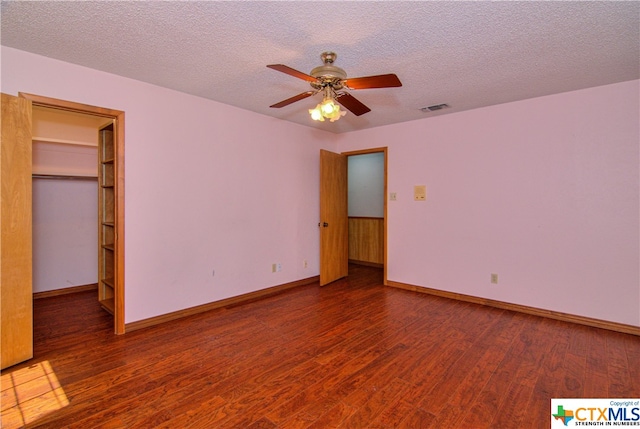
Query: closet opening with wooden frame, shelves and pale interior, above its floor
point(68, 170)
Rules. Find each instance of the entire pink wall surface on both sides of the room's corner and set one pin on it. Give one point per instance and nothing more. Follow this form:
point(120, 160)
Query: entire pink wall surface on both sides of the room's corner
point(543, 192)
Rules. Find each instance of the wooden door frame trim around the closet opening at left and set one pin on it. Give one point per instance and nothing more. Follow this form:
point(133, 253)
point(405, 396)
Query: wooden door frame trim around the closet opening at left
point(118, 116)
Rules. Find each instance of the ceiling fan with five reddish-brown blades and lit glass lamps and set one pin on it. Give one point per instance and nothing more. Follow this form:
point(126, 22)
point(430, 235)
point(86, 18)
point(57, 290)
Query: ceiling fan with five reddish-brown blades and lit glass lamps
point(331, 81)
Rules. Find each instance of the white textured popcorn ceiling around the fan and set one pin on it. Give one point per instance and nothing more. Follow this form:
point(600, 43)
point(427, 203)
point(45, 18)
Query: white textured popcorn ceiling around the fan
point(465, 54)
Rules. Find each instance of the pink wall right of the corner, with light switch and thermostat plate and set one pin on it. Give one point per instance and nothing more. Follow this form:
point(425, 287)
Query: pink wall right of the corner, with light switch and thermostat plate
point(543, 192)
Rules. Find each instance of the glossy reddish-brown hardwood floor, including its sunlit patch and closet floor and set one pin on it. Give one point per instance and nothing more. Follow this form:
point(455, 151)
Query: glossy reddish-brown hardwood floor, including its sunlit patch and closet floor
point(354, 354)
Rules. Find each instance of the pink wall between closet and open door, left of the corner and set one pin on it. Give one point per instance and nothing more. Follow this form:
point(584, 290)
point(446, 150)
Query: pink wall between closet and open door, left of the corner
point(204, 191)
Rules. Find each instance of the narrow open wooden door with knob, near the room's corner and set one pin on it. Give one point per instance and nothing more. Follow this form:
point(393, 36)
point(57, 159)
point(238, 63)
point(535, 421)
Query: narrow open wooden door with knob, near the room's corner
point(334, 233)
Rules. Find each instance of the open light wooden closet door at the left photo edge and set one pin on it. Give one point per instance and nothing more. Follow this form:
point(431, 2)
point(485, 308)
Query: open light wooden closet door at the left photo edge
point(16, 296)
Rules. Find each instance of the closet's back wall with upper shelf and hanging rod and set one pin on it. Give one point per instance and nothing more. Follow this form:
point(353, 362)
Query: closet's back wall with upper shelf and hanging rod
point(65, 200)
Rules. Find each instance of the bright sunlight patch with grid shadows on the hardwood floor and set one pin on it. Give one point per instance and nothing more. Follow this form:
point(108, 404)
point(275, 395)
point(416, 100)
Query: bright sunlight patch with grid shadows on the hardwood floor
point(29, 394)
